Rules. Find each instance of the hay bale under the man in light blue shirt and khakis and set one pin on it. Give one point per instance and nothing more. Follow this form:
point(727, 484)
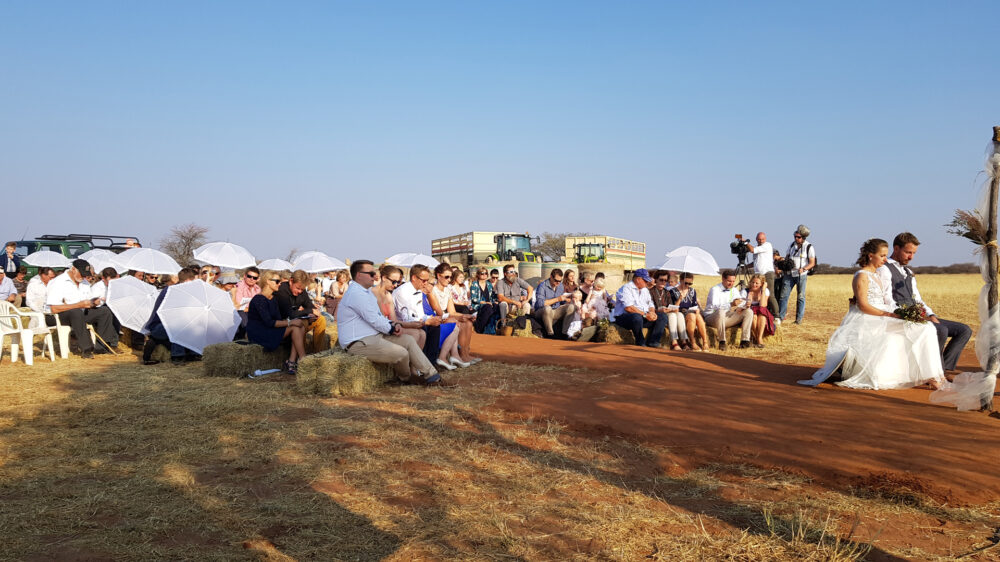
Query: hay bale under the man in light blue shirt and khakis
point(335, 373)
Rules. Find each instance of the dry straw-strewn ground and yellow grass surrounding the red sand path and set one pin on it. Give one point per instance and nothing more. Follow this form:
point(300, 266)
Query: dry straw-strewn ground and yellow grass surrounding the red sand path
point(106, 459)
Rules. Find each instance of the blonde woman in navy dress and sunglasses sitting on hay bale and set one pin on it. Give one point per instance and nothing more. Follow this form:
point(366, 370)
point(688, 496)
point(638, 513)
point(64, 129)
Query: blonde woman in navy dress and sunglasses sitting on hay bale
point(267, 327)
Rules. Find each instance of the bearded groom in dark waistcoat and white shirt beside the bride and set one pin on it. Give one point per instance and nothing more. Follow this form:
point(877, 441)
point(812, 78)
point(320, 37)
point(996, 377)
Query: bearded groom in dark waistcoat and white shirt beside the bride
point(897, 275)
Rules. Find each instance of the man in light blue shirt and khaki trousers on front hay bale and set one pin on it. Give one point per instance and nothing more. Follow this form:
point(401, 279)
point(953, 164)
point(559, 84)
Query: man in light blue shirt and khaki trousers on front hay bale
point(363, 330)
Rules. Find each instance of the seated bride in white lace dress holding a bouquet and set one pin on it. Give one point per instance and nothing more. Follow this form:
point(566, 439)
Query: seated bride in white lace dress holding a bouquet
point(873, 348)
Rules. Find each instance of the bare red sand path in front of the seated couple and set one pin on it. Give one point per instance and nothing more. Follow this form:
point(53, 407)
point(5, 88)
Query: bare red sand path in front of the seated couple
point(711, 408)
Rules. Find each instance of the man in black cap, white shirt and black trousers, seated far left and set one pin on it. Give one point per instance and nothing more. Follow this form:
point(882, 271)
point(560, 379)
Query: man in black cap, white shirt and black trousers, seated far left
point(68, 296)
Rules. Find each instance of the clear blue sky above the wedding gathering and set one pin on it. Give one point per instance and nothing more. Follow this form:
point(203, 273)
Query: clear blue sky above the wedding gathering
point(368, 128)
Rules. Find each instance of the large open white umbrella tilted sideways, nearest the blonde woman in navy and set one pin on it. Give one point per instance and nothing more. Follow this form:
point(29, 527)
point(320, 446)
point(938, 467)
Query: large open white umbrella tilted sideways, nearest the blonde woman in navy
point(196, 314)
